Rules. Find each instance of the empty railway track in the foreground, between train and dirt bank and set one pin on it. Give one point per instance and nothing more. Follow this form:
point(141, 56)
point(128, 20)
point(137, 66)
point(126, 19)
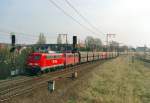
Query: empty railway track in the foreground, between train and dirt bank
point(29, 85)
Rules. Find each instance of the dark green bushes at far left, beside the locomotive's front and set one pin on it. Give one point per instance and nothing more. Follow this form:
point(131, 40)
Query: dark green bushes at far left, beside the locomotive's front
point(12, 61)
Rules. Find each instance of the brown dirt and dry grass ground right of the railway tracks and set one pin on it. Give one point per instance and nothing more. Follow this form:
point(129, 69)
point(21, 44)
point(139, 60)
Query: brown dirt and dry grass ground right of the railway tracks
point(114, 81)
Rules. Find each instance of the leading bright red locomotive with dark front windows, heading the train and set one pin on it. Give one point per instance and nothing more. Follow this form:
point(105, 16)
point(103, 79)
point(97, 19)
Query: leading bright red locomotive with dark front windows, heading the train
point(41, 62)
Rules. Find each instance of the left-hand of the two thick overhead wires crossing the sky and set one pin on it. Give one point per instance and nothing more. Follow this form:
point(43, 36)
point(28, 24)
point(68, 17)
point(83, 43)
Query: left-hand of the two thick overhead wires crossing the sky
point(67, 14)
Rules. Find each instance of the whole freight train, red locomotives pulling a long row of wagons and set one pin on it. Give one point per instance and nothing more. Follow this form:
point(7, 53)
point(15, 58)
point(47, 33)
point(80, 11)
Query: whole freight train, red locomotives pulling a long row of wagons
point(45, 62)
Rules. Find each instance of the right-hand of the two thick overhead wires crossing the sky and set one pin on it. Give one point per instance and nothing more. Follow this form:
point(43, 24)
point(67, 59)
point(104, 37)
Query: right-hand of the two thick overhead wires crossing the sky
point(86, 20)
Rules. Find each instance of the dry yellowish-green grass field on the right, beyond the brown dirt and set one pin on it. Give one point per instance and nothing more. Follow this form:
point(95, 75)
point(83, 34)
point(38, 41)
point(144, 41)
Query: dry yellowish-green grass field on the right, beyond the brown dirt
point(117, 81)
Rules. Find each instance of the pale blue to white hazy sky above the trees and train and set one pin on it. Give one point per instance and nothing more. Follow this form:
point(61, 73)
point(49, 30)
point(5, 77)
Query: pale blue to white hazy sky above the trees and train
point(128, 19)
